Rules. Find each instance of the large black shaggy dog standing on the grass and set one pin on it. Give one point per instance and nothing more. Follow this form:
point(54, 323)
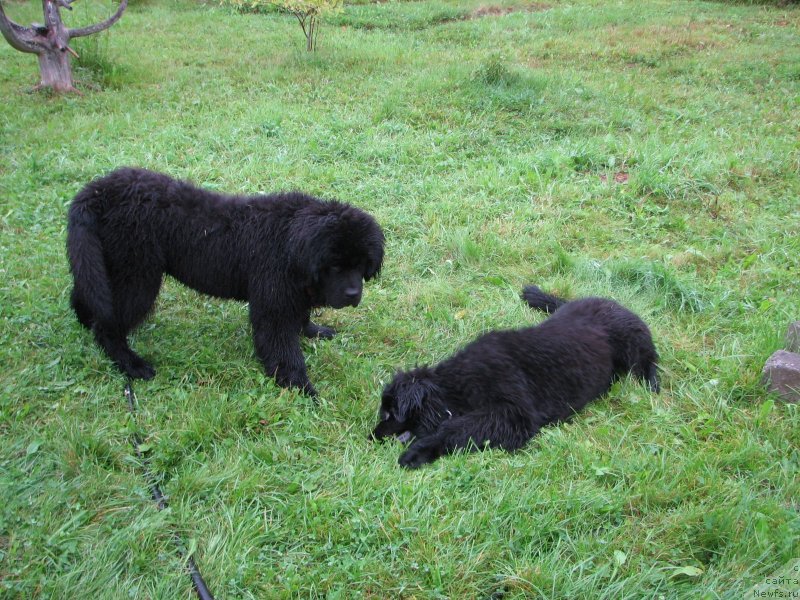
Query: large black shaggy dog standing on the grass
point(283, 253)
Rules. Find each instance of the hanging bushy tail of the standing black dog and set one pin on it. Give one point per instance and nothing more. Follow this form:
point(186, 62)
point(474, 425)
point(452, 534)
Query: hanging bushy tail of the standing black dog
point(92, 299)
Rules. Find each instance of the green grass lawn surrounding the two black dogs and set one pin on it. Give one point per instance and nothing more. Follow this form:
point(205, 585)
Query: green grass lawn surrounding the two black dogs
point(646, 151)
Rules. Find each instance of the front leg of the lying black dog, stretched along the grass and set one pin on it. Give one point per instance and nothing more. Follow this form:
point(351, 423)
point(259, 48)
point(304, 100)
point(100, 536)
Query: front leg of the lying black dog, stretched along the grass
point(471, 431)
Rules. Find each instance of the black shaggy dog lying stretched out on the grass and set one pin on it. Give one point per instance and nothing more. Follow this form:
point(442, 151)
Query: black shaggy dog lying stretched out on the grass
point(505, 386)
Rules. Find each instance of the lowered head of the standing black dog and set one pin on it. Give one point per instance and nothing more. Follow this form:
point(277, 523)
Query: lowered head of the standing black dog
point(336, 248)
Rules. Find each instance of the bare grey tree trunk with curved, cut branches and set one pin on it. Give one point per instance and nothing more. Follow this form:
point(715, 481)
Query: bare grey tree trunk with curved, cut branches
point(50, 42)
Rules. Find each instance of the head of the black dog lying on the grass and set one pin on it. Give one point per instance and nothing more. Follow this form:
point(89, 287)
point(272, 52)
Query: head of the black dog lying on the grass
point(410, 405)
